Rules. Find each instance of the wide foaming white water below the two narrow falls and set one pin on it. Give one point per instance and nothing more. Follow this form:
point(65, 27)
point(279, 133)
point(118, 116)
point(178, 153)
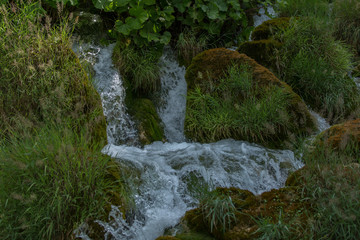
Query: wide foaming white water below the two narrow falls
point(171, 174)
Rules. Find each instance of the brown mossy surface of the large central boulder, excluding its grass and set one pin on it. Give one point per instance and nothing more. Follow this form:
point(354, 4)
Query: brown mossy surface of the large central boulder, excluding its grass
point(207, 71)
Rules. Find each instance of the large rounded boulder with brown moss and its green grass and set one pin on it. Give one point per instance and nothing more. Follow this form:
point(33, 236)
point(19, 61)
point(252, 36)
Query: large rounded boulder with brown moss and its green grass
point(231, 96)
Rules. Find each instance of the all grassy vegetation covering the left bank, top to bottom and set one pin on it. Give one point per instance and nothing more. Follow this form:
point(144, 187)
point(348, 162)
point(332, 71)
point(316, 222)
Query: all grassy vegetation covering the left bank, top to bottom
point(53, 176)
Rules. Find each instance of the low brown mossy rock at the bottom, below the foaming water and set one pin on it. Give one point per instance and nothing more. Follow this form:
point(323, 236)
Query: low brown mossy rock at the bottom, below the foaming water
point(250, 210)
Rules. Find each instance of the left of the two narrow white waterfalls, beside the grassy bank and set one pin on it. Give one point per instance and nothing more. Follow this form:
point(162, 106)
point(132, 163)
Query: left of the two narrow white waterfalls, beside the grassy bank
point(108, 83)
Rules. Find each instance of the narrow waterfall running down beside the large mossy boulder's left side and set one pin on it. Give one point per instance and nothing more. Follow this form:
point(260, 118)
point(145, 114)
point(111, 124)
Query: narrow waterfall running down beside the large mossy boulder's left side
point(173, 96)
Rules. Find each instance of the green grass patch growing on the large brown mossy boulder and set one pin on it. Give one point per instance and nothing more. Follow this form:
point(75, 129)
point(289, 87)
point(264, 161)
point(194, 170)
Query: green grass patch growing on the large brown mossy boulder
point(235, 107)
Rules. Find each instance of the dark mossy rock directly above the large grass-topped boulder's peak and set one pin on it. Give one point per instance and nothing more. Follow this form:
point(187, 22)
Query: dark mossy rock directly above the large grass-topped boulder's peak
point(263, 51)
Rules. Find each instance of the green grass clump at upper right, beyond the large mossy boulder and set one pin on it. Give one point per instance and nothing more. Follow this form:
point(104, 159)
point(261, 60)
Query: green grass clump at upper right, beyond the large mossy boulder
point(316, 66)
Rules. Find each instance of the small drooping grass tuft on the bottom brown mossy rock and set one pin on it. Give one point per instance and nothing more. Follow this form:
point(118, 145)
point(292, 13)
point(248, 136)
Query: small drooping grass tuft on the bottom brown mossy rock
point(218, 211)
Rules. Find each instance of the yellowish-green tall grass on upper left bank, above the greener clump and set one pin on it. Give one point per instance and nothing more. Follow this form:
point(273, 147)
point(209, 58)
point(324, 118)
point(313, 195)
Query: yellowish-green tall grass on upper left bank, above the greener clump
point(41, 78)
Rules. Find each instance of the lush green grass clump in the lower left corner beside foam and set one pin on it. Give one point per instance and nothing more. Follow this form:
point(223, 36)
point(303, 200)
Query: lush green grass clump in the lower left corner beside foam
point(51, 181)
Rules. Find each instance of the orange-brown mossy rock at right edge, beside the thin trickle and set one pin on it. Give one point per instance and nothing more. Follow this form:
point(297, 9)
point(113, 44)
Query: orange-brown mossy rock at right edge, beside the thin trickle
point(341, 138)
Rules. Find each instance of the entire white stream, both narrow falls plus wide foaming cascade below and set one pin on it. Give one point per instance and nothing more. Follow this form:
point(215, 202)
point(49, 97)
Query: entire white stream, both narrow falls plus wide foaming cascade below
point(171, 174)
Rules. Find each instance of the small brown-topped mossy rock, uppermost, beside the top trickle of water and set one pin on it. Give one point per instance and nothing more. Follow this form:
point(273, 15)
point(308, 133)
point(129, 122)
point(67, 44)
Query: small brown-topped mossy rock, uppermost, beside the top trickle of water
point(268, 28)
